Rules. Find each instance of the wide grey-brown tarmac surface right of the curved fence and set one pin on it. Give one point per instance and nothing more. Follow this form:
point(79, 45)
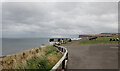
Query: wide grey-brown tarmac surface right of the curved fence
point(93, 56)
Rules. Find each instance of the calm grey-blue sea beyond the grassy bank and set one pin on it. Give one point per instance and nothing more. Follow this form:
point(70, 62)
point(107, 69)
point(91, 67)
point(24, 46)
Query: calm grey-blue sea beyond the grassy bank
point(12, 46)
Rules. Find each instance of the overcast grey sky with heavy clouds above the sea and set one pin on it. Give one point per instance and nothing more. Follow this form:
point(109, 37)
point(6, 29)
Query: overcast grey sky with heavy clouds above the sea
point(53, 19)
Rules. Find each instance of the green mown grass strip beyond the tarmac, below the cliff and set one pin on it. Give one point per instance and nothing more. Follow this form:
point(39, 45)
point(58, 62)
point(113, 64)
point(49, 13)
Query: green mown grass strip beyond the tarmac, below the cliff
point(102, 40)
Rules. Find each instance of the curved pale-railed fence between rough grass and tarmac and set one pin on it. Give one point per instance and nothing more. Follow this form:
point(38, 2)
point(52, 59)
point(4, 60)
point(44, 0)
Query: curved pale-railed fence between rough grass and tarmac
point(63, 60)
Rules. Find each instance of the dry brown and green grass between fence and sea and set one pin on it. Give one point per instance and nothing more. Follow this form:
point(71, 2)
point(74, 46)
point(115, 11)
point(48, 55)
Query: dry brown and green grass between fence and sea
point(38, 58)
